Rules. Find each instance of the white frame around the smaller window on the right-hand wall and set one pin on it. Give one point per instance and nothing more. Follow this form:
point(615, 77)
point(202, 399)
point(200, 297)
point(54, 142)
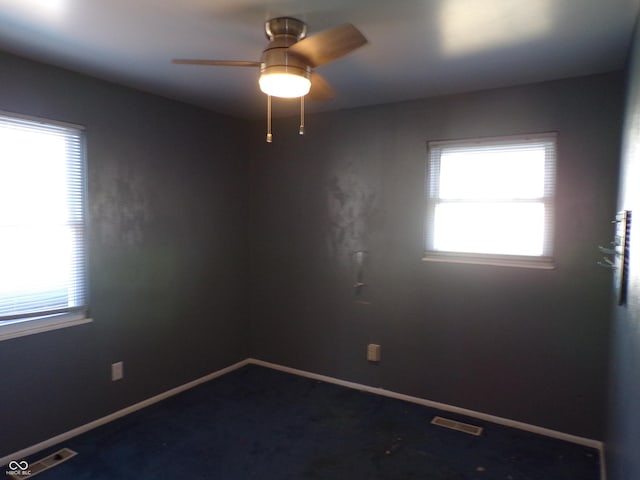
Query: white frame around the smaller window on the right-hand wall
point(434, 150)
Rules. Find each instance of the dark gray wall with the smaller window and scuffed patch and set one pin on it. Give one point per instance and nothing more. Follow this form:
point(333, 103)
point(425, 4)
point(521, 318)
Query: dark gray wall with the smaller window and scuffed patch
point(522, 344)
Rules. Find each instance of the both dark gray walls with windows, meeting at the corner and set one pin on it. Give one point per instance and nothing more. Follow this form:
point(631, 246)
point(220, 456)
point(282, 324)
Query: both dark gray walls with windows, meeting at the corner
point(171, 283)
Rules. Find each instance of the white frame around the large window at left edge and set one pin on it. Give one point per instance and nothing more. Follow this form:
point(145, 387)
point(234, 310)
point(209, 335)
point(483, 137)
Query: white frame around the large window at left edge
point(73, 315)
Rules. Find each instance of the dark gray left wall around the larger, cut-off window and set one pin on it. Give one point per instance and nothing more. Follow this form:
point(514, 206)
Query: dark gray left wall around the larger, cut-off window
point(167, 205)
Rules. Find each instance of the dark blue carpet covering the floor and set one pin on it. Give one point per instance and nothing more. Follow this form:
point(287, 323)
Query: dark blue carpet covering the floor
point(257, 423)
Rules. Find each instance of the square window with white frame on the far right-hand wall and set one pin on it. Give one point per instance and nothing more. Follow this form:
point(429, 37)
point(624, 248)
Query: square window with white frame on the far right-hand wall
point(490, 201)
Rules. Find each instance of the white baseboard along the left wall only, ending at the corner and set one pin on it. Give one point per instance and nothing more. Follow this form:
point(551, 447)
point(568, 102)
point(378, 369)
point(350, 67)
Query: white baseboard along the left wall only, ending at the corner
point(19, 455)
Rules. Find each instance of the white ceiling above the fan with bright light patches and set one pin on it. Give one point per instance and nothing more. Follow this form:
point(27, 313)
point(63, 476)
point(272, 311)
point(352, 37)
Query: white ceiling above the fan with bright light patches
point(417, 48)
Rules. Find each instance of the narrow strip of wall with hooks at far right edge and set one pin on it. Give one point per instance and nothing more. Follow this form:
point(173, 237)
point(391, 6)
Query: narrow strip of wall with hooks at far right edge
point(624, 414)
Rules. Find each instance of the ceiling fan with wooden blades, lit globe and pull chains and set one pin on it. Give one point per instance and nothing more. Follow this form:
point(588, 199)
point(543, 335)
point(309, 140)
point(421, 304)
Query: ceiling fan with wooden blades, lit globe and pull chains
point(286, 65)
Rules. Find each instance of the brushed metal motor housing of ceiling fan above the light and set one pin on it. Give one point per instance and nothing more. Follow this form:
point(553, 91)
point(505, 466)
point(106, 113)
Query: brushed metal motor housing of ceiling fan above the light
point(283, 32)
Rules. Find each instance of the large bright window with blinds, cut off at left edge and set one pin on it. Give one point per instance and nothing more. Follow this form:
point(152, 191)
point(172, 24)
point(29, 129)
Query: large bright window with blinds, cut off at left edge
point(42, 226)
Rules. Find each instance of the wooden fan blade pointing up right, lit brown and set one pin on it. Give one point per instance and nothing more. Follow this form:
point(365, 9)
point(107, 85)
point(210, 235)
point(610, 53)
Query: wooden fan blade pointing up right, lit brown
point(327, 46)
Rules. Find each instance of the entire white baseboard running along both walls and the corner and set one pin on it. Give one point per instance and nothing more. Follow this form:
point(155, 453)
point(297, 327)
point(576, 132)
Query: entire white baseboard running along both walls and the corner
point(357, 386)
